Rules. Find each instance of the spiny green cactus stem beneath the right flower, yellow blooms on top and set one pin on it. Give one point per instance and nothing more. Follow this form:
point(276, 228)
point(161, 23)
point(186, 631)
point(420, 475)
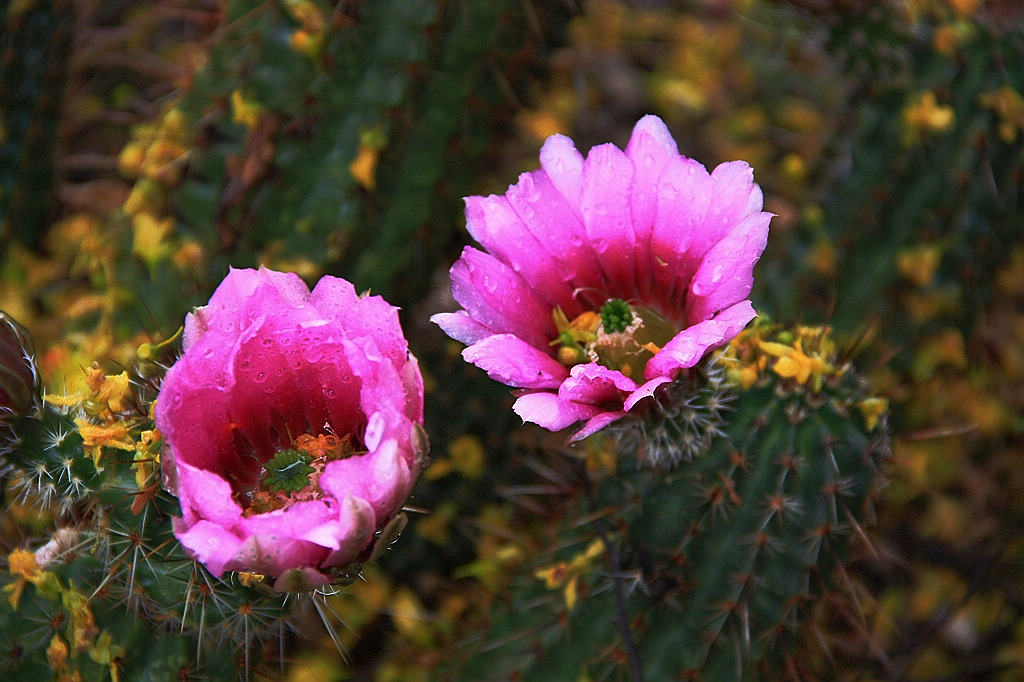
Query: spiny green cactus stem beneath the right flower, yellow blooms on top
point(727, 556)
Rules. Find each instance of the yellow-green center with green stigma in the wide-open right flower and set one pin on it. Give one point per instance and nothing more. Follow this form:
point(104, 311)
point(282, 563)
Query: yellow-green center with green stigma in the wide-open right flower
point(620, 336)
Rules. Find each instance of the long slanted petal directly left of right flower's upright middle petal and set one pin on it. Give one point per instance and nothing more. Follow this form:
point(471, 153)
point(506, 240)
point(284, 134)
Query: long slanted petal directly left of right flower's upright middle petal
point(546, 215)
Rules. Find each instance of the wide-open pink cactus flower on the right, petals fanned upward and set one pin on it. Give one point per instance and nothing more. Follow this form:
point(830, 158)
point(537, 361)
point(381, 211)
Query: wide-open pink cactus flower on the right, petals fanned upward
point(607, 277)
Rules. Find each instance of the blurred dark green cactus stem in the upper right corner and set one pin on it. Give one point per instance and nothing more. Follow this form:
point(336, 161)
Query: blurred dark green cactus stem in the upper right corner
point(929, 154)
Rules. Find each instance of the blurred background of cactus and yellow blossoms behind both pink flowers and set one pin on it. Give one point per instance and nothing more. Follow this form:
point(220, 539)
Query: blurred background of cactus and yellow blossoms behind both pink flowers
point(148, 146)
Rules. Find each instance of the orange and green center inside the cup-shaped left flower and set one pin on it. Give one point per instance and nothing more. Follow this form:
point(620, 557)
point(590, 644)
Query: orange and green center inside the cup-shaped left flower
point(293, 475)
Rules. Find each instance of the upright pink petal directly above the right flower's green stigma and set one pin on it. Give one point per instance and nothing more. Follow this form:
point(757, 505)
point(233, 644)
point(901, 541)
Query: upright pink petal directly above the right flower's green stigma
point(608, 178)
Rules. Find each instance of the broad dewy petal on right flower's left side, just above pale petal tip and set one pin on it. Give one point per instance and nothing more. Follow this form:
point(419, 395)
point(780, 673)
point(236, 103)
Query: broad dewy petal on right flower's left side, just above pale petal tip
point(497, 297)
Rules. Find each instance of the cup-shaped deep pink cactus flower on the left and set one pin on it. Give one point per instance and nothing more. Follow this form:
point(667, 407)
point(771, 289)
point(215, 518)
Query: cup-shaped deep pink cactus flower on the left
point(292, 428)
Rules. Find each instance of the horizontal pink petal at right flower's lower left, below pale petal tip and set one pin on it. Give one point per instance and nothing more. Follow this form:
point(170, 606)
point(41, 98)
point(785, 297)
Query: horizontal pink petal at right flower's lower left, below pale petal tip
point(511, 361)
